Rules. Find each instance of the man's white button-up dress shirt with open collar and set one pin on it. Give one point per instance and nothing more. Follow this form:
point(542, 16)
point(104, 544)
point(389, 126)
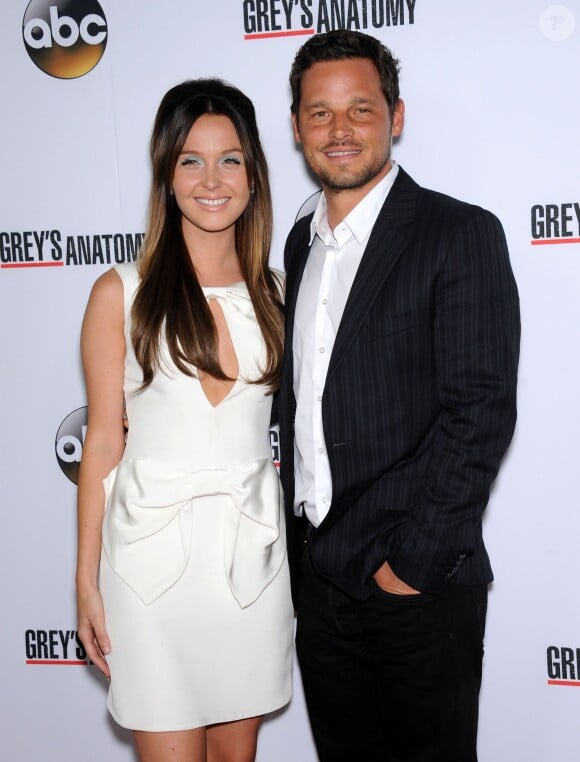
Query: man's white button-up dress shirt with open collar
point(328, 277)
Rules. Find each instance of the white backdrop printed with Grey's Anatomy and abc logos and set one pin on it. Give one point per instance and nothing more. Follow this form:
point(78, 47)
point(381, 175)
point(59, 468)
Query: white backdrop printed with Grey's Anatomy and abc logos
point(493, 116)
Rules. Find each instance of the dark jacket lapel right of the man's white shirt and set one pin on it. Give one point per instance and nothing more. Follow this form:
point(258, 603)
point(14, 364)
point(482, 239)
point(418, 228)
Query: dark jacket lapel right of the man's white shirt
point(387, 242)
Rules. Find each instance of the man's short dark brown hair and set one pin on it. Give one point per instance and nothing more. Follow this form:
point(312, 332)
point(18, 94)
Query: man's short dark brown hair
point(338, 45)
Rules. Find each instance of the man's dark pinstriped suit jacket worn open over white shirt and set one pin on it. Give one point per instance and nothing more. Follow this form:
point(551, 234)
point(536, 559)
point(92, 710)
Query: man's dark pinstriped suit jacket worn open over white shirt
point(419, 404)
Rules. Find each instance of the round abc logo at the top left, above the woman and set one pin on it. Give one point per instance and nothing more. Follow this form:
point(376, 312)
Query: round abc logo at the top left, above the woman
point(65, 39)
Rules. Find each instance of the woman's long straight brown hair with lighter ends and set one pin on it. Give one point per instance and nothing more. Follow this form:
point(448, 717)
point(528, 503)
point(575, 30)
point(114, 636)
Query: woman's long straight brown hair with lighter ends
point(169, 300)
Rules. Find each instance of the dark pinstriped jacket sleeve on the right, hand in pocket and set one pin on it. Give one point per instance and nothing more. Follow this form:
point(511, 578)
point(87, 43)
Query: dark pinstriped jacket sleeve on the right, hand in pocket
point(476, 335)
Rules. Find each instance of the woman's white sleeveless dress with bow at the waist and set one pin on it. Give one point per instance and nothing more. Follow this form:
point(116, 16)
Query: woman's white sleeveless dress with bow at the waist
point(193, 573)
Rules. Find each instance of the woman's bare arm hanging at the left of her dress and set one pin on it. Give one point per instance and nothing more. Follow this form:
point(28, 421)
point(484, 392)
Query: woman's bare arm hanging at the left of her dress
point(103, 355)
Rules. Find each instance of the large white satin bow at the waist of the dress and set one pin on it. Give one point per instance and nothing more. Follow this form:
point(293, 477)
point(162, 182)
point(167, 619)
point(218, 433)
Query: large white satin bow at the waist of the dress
point(148, 522)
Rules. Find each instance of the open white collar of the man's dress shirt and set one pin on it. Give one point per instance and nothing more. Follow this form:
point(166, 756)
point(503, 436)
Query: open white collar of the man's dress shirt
point(361, 219)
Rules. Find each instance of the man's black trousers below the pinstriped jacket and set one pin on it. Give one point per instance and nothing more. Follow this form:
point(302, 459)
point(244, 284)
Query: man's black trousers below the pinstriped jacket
point(392, 679)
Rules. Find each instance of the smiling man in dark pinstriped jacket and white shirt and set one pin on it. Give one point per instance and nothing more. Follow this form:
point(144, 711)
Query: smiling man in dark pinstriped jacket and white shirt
point(396, 407)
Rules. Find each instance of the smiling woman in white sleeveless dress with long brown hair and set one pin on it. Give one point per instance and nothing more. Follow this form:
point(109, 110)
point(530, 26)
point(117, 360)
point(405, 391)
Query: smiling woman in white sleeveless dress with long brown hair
point(183, 588)
